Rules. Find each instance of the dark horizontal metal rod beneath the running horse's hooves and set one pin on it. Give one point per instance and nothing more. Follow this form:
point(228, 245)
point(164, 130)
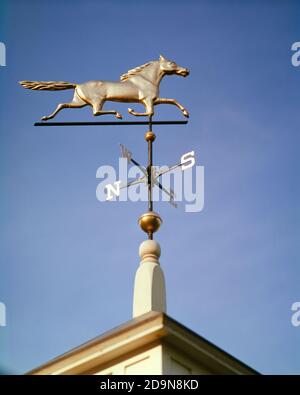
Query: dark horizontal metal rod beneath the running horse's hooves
point(121, 123)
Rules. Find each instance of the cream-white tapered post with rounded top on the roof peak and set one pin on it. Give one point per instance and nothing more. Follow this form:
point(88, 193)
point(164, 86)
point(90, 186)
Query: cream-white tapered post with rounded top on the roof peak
point(149, 284)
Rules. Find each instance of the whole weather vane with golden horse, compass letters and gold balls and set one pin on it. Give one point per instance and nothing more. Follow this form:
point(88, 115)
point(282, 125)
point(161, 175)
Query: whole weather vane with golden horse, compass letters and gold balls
point(138, 85)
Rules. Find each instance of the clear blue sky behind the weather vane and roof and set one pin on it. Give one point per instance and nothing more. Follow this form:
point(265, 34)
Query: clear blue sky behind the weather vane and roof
point(68, 261)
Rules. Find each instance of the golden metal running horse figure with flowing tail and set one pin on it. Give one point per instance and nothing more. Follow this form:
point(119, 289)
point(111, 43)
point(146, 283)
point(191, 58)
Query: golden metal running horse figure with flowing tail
point(139, 85)
